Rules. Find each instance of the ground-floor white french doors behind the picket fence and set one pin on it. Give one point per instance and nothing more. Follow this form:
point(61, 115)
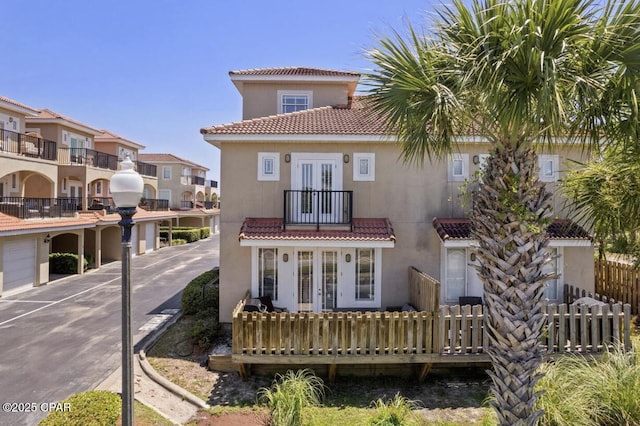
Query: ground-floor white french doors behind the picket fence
point(316, 279)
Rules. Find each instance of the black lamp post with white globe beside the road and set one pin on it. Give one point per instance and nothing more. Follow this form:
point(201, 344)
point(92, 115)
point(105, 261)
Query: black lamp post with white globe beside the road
point(126, 189)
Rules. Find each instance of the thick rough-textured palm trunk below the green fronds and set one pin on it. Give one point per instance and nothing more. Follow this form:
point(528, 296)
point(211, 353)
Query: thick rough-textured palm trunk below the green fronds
point(512, 251)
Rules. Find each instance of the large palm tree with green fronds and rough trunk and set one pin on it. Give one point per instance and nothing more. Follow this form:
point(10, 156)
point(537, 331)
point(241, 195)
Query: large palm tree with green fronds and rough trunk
point(523, 74)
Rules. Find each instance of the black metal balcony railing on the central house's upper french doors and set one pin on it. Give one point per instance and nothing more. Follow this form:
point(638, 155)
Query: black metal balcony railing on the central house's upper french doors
point(318, 208)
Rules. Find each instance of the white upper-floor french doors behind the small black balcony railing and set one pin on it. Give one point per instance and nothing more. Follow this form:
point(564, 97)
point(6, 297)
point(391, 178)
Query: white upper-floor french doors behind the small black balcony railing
point(314, 176)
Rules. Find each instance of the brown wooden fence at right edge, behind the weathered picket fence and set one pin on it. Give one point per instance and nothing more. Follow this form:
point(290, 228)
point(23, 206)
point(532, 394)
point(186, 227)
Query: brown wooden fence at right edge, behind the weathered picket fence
point(618, 282)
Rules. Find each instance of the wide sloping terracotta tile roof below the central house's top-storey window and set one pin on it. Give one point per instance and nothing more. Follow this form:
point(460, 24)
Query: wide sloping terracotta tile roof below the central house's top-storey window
point(354, 119)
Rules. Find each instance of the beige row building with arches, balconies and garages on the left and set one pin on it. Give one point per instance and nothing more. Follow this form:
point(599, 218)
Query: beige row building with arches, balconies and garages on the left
point(54, 194)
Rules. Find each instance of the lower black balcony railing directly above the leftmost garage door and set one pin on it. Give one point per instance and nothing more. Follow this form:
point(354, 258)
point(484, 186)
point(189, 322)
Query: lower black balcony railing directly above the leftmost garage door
point(28, 208)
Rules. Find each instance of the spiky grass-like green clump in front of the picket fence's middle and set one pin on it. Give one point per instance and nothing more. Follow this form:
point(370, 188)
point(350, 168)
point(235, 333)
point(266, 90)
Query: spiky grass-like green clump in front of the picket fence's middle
point(290, 394)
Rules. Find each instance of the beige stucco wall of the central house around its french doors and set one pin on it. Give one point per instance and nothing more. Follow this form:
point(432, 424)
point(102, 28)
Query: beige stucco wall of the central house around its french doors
point(410, 196)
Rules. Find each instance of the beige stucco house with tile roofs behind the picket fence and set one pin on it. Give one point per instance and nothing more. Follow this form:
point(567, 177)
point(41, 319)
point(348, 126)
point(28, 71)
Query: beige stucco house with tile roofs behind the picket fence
point(321, 214)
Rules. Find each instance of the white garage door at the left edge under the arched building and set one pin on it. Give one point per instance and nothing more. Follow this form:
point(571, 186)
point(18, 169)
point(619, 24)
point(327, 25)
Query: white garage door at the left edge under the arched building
point(18, 262)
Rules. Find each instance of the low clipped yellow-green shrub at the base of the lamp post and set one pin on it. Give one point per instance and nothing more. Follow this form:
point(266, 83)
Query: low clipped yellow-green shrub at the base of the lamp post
point(87, 408)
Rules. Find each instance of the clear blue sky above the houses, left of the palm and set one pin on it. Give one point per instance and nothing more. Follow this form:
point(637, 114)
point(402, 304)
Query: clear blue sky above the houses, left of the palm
point(156, 71)
